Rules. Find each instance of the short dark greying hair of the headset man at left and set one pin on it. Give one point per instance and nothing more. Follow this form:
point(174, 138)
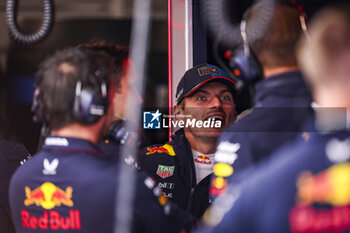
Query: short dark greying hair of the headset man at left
point(57, 78)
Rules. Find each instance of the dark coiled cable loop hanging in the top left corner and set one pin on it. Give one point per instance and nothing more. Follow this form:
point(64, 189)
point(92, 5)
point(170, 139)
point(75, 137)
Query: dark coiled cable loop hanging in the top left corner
point(37, 37)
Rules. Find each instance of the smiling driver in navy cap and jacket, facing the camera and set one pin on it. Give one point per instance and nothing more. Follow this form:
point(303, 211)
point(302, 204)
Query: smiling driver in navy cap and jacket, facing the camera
point(183, 166)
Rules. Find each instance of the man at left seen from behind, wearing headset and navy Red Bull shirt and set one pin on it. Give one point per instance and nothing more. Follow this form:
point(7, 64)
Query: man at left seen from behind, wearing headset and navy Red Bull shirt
point(69, 185)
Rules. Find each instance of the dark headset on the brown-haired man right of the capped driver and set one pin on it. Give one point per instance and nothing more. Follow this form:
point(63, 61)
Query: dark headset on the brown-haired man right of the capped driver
point(244, 62)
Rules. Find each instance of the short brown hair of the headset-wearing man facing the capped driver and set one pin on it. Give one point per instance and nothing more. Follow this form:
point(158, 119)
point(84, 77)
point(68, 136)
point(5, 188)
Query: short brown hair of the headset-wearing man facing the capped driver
point(277, 46)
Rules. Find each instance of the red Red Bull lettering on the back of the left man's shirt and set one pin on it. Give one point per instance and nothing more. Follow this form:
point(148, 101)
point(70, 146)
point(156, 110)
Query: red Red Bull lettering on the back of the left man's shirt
point(51, 220)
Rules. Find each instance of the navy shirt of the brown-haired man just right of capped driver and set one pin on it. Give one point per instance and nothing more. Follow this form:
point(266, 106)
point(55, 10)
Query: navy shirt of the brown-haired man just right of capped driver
point(282, 105)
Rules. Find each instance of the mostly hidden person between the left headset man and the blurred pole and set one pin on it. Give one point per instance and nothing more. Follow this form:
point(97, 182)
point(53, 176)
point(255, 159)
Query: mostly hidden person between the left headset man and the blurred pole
point(117, 133)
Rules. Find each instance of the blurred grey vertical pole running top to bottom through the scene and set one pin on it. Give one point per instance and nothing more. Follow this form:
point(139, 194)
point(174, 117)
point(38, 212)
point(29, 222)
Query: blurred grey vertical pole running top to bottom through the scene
point(139, 53)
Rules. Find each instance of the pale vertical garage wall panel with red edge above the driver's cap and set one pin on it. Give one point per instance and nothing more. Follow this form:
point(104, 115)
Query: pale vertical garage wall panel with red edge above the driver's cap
point(188, 39)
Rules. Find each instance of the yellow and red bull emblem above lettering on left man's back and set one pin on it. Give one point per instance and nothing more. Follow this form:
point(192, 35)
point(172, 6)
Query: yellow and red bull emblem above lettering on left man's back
point(48, 196)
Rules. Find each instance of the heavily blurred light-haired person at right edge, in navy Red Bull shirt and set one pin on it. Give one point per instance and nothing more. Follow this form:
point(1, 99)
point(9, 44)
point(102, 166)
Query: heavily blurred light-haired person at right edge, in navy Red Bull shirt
point(304, 187)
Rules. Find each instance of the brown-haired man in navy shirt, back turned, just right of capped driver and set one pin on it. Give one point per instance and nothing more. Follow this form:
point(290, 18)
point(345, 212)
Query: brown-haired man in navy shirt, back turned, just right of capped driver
point(282, 99)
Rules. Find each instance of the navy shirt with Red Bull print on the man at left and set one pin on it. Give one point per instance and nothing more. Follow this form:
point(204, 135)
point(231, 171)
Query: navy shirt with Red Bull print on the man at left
point(70, 187)
